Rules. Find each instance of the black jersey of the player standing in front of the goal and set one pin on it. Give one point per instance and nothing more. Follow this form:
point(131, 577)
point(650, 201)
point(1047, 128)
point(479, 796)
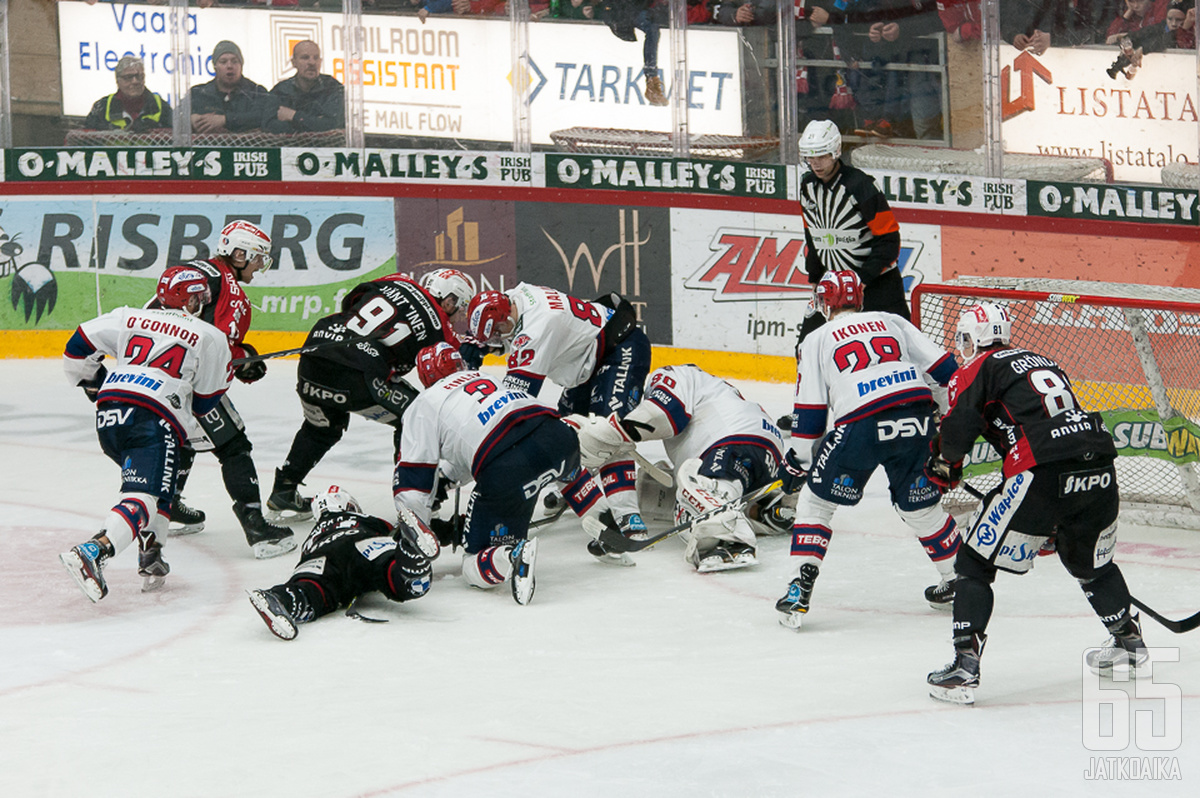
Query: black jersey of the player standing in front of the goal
point(1023, 405)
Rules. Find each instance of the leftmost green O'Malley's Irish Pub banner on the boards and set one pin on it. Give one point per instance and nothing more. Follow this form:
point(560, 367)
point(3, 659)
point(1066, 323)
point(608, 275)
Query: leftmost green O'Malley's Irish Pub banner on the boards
point(137, 164)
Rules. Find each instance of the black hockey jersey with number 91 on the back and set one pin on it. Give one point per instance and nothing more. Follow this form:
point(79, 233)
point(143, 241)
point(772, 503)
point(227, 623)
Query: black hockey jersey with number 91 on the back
point(398, 316)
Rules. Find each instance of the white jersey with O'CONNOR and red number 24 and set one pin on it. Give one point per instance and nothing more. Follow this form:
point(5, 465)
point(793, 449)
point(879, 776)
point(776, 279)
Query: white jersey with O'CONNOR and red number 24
point(167, 362)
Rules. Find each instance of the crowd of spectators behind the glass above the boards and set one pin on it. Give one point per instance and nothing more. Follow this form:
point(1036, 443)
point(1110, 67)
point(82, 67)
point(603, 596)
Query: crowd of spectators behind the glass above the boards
point(868, 95)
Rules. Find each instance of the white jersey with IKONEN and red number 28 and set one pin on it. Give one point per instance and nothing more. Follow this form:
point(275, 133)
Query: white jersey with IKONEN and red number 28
point(860, 364)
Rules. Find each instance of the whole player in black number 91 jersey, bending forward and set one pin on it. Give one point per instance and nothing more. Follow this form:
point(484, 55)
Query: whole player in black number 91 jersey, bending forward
point(383, 323)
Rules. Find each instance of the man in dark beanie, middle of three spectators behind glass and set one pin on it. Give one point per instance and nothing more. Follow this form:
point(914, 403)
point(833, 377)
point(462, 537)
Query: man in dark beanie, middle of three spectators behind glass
point(232, 103)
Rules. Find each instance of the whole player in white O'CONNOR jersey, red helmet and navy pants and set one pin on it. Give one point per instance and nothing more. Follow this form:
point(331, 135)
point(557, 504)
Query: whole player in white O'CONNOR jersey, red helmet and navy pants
point(171, 368)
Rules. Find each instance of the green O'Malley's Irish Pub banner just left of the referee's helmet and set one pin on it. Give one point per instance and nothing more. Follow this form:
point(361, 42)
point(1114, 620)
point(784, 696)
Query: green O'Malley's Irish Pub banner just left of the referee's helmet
point(667, 175)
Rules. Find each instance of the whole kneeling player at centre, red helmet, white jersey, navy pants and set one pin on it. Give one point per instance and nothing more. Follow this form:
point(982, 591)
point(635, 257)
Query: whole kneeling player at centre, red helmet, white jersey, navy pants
point(483, 430)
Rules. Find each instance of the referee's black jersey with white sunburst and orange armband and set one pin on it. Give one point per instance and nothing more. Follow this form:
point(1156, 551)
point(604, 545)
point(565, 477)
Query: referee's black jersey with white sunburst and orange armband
point(848, 225)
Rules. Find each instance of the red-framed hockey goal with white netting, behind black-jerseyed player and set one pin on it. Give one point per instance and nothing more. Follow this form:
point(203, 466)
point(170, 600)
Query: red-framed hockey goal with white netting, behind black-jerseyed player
point(1132, 353)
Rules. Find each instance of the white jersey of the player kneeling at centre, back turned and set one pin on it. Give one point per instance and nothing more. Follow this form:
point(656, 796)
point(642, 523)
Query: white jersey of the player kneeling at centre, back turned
point(458, 422)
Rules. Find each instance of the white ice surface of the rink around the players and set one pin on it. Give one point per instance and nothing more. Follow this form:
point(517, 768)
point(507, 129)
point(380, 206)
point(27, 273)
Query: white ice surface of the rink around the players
point(652, 681)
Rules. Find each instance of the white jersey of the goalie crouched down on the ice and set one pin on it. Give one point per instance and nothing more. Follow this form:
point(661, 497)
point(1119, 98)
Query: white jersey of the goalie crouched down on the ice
point(703, 412)
